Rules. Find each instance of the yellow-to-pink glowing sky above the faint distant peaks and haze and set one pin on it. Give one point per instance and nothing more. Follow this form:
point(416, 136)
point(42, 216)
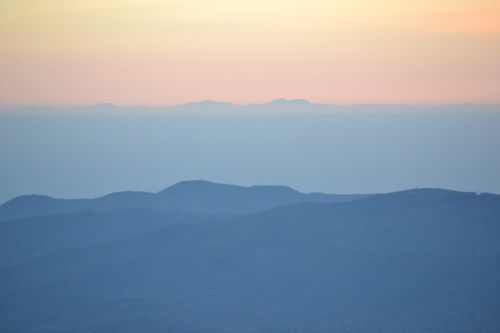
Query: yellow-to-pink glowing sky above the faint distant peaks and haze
point(63, 52)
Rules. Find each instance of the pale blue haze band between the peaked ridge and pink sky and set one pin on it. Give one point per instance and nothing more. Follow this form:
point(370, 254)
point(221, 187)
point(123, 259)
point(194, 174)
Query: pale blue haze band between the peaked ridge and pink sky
point(87, 154)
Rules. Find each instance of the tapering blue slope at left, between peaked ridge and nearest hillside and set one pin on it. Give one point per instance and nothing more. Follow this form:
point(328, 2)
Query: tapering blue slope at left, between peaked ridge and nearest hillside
point(31, 237)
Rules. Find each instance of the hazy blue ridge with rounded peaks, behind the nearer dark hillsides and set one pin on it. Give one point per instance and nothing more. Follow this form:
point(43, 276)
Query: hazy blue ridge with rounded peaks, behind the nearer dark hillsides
point(198, 197)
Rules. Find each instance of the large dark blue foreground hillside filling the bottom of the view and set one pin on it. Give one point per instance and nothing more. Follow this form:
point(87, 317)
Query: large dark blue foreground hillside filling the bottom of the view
point(412, 261)
